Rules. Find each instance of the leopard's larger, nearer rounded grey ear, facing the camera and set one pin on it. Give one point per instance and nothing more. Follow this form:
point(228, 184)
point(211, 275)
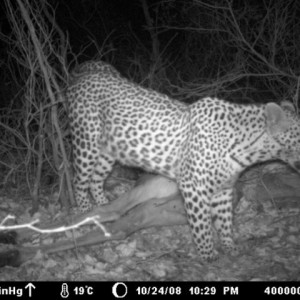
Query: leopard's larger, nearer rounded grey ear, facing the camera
point(276, 118)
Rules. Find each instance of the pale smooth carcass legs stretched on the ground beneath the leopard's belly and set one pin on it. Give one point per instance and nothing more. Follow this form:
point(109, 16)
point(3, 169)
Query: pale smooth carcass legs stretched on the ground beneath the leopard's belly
point(154, 201)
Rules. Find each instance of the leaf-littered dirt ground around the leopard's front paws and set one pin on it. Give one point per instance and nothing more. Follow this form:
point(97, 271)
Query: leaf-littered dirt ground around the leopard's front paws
point(266, 229)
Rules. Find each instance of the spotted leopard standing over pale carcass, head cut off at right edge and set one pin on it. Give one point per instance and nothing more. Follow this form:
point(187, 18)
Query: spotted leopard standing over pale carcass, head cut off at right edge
point(203, 146)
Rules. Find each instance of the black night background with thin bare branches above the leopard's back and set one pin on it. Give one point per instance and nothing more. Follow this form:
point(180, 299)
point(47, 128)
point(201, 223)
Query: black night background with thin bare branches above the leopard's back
point(245, 51)
